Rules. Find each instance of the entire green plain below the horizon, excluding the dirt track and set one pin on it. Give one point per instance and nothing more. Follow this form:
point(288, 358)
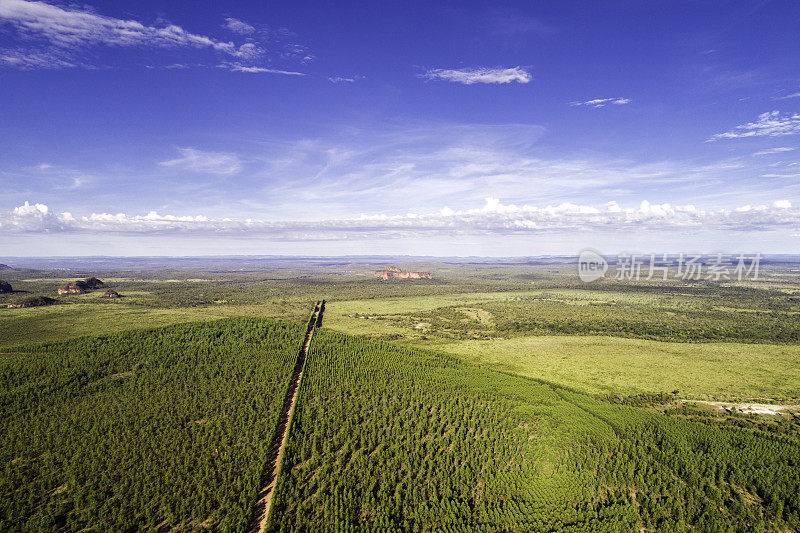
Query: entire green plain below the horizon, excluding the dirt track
point(492, 397)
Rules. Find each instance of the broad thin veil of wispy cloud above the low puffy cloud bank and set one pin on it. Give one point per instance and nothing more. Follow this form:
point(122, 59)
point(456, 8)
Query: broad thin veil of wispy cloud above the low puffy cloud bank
point(415, 167)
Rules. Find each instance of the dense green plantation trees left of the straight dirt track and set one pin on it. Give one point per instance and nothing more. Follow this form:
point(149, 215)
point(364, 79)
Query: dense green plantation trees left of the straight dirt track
point(148, 429)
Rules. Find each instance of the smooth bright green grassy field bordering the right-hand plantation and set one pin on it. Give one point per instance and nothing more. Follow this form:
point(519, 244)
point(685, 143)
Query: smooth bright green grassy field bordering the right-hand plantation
point(609, 365)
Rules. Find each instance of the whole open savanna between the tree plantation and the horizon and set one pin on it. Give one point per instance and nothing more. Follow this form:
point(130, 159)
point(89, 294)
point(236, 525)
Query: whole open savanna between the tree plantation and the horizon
point(735, 340)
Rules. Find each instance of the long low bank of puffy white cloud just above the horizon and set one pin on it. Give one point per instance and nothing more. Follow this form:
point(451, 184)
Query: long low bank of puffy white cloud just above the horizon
point(493, 218)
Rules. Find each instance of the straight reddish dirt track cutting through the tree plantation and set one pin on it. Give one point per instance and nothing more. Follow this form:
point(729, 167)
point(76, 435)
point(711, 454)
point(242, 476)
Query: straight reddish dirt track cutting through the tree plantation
point(258, 521)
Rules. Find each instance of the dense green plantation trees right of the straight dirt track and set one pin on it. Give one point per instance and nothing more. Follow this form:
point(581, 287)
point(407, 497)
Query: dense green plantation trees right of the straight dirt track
point(390, 438)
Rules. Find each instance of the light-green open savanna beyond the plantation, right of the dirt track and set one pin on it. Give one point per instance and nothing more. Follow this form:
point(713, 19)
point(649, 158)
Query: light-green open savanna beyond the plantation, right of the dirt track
point(735, 342)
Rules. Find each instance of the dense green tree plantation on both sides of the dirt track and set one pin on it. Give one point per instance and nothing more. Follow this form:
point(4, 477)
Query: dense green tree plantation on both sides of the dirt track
point(170, 428)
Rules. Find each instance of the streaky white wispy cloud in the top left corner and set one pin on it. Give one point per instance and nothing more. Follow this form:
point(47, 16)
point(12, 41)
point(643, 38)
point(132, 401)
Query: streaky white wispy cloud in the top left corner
point(52, 36)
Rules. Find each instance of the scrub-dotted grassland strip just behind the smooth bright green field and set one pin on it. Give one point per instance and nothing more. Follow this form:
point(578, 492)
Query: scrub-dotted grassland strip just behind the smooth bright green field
point(714, 314)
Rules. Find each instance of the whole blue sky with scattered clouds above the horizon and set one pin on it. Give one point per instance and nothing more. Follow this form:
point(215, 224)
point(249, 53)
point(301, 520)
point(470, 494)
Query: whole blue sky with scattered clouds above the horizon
point(191, 128)
